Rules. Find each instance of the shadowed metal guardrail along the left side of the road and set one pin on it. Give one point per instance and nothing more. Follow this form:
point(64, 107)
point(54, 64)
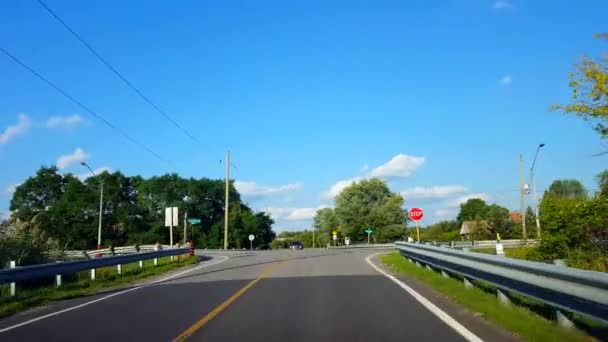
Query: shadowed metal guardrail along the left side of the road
point(18, 274)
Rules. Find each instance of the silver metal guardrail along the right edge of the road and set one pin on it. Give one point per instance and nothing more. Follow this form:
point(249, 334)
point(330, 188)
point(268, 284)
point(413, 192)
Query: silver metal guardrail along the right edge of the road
point(565, 288)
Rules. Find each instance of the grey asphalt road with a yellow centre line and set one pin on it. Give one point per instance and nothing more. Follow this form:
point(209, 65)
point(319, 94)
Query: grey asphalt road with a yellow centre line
point(324, 295)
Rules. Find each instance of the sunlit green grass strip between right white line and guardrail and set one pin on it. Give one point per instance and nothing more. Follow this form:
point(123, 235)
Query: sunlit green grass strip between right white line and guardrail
point(519, 320)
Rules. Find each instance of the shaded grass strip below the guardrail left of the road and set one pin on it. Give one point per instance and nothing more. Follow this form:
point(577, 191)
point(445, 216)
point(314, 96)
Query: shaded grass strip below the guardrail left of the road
point(80, 284)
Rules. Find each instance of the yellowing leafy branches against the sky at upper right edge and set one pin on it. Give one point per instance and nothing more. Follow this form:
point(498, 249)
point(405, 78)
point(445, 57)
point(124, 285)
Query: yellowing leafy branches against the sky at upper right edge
point(589, 83)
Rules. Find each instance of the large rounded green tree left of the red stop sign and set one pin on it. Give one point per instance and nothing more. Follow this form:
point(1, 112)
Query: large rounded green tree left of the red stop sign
point(364, 204)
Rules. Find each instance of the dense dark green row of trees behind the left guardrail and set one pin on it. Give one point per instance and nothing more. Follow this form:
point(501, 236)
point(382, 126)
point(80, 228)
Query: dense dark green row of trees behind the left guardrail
point(61, 208)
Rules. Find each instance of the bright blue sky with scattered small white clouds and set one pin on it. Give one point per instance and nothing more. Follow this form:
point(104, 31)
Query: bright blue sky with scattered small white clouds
point(436, 97)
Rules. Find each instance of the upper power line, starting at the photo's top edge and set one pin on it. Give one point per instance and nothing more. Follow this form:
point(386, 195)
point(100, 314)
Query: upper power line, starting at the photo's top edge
point(123, 78)
